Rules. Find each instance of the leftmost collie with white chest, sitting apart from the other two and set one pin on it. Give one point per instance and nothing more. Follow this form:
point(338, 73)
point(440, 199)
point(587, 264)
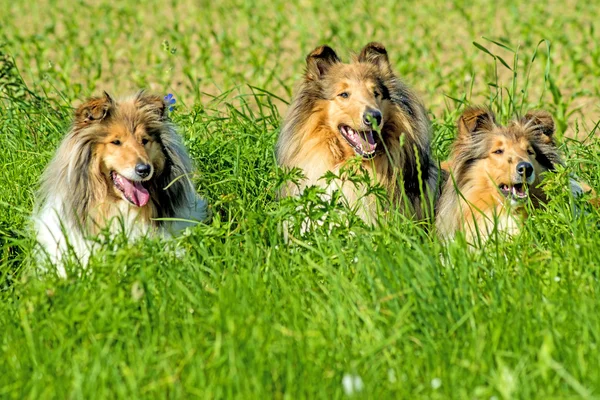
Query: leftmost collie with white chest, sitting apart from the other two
point(121, 167)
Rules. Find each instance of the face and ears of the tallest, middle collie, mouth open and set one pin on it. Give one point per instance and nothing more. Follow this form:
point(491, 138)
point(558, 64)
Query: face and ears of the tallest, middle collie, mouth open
point(356, 98)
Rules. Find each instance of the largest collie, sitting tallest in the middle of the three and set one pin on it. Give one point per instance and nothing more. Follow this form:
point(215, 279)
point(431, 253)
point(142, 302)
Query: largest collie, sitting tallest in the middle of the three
point(342, 111)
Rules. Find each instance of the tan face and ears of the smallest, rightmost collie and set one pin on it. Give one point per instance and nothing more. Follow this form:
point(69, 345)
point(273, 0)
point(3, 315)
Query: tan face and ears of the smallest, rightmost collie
point(509, 160)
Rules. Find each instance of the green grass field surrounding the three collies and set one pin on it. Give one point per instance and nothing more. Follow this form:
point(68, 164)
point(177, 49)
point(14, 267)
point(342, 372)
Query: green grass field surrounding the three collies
point(243, 314)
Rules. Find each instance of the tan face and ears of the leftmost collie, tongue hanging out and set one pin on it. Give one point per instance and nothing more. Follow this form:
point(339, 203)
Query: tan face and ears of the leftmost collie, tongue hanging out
point(128, 148)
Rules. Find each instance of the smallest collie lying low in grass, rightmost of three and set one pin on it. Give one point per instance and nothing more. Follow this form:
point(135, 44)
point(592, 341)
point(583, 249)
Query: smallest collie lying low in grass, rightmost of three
point(493, 171)
